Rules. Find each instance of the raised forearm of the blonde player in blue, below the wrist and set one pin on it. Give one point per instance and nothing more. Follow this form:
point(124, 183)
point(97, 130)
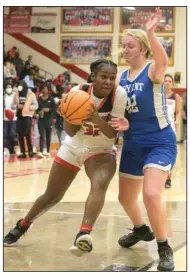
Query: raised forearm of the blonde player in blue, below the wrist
point(159, 54)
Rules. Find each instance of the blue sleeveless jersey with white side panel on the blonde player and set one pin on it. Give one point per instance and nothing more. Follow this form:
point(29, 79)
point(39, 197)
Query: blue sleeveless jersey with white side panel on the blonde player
point(146, 104)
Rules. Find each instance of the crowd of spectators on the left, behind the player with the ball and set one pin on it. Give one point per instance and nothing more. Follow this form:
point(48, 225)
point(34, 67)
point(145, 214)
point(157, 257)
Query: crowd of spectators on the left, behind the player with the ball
point(31, 106)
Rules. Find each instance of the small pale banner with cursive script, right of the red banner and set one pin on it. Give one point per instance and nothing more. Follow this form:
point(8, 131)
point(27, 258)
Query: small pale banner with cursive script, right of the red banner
point(43, 24)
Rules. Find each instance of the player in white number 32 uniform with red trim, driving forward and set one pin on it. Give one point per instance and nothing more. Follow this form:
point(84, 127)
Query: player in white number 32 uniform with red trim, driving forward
point(91, 144)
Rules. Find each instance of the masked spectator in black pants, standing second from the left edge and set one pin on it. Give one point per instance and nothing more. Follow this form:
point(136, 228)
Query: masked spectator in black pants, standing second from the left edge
point(26, 104)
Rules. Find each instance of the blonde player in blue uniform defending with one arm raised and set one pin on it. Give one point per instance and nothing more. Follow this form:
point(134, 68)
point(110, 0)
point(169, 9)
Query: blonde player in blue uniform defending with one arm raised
point(149, 149)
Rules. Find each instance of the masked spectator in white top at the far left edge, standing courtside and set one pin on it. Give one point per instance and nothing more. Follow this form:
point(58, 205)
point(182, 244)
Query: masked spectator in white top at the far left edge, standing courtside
point(9, 127)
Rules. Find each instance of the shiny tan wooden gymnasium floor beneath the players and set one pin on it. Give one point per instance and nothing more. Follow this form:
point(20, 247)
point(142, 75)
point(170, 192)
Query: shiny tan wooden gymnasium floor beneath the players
point(45, 247)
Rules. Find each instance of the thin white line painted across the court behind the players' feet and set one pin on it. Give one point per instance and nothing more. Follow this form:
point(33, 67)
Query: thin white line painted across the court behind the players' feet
point(73, 213)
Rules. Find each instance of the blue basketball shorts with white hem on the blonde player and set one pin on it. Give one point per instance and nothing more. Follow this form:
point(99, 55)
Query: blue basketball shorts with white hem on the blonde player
point(157, 150)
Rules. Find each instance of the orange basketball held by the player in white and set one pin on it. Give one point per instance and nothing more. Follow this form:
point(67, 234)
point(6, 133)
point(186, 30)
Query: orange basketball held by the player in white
point(73, 106)
